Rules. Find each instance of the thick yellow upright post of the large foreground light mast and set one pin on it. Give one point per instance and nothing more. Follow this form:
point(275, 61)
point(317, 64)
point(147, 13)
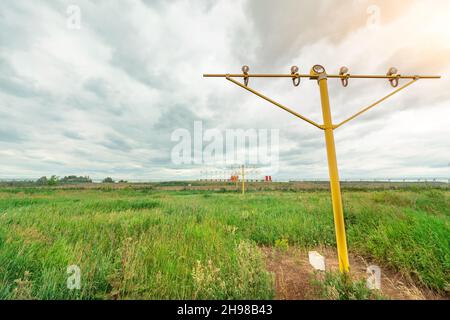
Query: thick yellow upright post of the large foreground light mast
point(338, 211)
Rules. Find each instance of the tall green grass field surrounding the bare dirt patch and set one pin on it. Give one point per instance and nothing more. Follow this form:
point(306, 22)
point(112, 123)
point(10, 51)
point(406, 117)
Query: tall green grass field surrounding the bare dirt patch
point(144, 243)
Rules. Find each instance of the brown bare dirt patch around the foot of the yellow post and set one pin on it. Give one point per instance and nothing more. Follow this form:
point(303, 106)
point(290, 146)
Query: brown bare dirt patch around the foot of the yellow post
point(293, 275)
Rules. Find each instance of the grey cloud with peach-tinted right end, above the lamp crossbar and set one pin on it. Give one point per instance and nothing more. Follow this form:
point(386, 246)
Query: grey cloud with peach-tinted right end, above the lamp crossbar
point(280, 36)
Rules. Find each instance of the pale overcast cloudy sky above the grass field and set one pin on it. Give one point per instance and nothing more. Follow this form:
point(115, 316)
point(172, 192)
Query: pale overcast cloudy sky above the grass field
point(104, 99)
